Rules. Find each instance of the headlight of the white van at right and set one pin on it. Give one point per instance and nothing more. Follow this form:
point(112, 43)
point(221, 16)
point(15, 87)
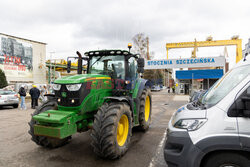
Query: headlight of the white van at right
point(190, 124)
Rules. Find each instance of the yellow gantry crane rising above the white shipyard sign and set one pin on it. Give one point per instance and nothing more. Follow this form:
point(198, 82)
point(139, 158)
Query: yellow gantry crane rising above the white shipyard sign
point(208, 43)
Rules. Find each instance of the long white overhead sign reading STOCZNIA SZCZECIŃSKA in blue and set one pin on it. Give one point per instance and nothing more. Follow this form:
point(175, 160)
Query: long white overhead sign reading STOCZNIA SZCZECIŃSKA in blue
point(185, 63)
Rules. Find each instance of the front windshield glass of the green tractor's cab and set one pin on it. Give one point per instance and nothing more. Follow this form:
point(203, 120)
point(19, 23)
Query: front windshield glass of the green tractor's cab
point(108, 65)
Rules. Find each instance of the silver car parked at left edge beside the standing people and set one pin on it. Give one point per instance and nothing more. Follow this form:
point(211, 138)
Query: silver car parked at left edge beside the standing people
point(8, 98)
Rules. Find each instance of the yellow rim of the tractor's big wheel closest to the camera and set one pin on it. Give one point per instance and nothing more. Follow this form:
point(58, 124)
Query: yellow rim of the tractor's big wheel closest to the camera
point(122, 130)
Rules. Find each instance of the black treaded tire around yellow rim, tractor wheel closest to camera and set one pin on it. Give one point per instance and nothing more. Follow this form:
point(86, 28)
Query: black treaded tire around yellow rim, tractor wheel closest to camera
point(104, 130)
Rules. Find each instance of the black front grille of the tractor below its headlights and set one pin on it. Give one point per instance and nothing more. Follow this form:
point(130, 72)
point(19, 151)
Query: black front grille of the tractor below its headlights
point(71, 98)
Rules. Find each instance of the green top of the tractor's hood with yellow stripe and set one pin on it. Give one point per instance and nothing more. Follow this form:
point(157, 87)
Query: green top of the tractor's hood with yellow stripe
point(80, 78)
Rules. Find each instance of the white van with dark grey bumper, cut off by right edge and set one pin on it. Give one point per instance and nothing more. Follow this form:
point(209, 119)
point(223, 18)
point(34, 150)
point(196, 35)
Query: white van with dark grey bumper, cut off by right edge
point(215, 131)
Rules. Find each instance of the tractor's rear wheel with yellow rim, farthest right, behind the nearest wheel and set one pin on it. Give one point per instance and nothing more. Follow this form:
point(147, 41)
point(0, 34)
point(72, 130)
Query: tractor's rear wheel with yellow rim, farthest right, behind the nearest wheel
point(145, 109)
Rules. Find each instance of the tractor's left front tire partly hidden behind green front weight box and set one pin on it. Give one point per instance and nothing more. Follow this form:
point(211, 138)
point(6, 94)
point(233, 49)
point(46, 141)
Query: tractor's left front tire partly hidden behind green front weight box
point(42, 140)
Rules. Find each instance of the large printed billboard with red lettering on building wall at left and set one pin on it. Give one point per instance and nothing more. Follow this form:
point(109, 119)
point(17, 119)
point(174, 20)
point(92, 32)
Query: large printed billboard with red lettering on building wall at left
point(16, 57)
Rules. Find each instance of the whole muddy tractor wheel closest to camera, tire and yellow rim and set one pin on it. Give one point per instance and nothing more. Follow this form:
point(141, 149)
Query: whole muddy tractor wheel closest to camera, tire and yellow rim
point(112, 130)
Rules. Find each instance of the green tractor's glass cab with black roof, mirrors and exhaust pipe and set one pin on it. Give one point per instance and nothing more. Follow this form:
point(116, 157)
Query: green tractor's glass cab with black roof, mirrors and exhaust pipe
point(118, 64)
